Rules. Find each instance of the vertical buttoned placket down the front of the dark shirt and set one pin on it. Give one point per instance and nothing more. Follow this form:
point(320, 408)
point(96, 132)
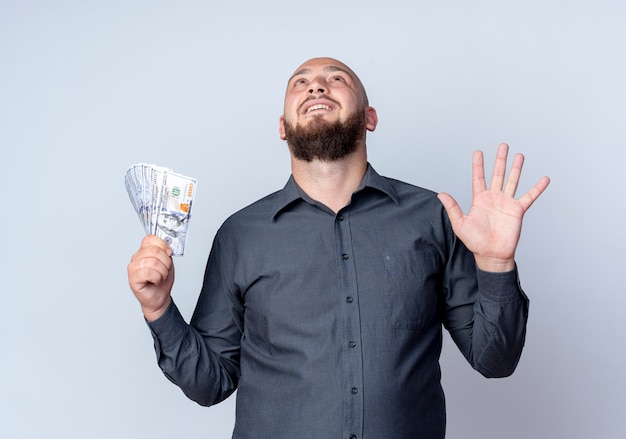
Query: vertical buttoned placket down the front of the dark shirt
point(353, 392)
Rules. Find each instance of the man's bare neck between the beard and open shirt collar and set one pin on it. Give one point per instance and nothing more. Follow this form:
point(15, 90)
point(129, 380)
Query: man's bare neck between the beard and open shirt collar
point(331, 183)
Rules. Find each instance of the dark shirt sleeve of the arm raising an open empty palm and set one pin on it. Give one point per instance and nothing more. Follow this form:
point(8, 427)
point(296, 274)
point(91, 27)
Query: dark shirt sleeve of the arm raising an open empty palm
point(485, 313)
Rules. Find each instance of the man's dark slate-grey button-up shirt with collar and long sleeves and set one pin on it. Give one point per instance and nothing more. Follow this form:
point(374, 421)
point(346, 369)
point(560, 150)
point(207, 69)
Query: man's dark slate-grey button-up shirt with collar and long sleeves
point(330, 325)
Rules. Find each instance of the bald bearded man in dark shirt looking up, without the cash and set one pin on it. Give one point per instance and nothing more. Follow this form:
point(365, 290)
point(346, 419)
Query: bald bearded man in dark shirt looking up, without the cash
point(323, 303)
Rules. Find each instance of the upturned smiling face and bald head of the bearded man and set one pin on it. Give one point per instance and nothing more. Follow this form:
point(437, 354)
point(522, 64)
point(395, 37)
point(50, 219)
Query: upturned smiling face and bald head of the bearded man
point(325, 101)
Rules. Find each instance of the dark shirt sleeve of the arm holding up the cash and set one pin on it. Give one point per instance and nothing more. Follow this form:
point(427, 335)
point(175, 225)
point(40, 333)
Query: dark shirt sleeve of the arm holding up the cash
point(202, 358)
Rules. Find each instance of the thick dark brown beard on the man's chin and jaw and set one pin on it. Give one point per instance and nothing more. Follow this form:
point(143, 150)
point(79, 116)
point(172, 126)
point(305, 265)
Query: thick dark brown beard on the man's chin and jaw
point(324, 140)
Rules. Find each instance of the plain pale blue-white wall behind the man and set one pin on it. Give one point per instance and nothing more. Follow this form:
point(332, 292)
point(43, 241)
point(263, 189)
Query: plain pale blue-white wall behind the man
point(89, 88)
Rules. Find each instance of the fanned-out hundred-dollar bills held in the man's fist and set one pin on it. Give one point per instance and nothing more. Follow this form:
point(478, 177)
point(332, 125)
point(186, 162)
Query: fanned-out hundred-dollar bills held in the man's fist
point(163, 200)
